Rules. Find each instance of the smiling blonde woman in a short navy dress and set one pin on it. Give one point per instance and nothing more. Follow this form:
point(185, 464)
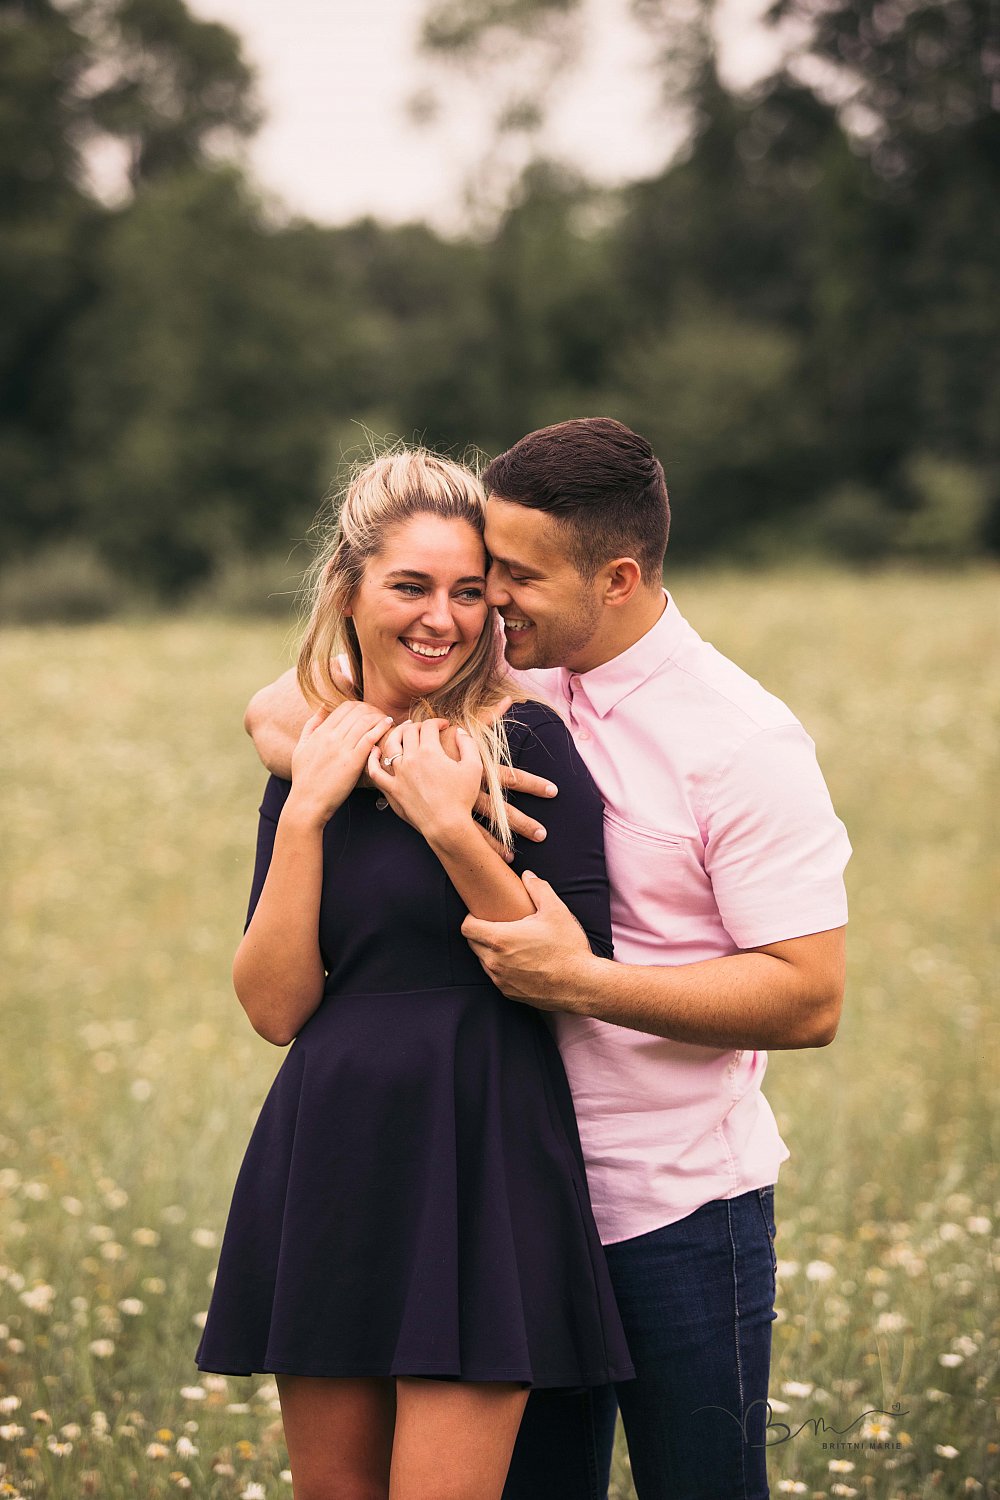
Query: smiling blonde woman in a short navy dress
point(410, 1246)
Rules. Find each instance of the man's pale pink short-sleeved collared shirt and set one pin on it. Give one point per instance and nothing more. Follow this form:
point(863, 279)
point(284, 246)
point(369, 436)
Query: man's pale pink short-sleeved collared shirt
point(720, 835)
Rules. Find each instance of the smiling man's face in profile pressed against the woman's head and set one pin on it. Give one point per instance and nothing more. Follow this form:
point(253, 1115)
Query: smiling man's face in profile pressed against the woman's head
point(551, 613)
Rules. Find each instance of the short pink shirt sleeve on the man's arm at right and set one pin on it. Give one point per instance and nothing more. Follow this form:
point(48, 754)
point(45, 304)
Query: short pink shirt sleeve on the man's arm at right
point(776, 850)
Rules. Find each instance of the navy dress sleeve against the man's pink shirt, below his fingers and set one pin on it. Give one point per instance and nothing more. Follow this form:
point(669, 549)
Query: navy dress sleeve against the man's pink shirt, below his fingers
point(572, 857)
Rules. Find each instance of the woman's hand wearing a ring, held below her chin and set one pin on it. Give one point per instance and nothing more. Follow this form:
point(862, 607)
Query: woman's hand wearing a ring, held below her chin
point(422, 782)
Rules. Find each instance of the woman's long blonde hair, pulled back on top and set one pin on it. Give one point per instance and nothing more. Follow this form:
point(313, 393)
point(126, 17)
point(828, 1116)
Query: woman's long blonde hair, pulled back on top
point(386, 493)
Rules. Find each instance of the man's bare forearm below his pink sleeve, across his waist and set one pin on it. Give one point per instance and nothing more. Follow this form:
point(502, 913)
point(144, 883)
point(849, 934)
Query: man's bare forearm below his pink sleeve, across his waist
point(747, 1001)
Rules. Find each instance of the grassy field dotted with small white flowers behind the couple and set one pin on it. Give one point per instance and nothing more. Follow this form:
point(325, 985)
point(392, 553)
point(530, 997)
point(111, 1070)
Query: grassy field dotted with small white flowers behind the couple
point(133, 1078)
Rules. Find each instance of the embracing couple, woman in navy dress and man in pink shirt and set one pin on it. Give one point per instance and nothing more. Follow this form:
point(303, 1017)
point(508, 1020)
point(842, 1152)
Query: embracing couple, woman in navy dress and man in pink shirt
point(540, 878)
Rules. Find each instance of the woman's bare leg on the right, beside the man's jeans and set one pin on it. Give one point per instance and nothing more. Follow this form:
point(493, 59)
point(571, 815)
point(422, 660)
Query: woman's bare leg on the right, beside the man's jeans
point(454, 1439)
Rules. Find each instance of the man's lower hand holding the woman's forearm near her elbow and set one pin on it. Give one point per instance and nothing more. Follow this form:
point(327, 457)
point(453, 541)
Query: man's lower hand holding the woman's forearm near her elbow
point(539, 959)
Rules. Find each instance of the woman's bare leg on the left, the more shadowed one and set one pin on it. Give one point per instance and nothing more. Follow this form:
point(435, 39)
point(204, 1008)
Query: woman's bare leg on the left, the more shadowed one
point(340, 1436)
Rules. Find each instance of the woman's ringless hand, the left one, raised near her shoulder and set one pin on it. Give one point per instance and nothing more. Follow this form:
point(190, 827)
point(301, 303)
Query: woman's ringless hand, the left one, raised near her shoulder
point(331, 757)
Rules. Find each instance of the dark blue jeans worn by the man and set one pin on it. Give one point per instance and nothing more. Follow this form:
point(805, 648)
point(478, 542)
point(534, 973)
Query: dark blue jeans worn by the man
point(698, 1304)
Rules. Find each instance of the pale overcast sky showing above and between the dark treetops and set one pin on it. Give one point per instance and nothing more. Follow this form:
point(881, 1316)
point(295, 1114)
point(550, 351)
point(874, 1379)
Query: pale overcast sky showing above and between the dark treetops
point(335, 79)
